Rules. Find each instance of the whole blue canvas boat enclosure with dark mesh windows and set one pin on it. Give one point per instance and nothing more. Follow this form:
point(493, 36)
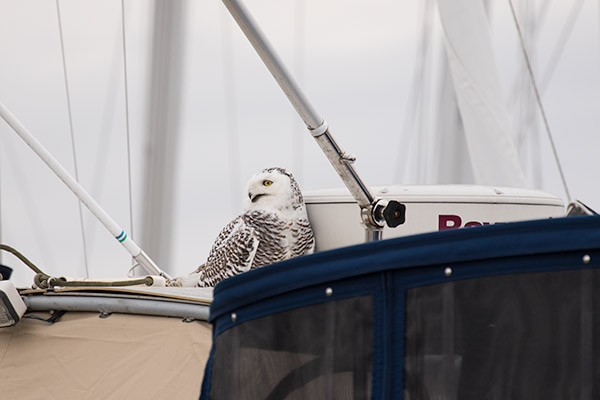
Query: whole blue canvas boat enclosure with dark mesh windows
point(510, 311)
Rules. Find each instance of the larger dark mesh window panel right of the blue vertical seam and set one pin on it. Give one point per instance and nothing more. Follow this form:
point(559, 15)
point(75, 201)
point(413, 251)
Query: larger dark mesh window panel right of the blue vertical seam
point(521, 336)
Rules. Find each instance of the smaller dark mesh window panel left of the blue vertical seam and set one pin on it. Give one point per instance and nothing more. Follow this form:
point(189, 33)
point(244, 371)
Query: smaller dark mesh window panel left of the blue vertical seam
point(322, 351)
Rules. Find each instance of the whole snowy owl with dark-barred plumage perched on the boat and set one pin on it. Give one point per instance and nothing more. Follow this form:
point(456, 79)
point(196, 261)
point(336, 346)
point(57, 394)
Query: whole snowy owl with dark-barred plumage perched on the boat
point(273, 227)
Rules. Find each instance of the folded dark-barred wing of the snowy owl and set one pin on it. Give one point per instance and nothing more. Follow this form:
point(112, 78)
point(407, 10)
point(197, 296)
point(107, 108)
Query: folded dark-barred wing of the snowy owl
point(231, 254)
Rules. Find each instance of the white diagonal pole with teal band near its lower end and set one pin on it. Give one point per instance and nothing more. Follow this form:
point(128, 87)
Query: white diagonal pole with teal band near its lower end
point(81, 193)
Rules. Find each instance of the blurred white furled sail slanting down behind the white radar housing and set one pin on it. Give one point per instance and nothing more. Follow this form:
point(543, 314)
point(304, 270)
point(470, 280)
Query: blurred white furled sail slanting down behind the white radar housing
point(483, 111)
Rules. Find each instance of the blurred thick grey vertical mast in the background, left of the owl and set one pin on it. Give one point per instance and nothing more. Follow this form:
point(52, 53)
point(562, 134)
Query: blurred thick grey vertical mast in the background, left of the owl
point(163, 128)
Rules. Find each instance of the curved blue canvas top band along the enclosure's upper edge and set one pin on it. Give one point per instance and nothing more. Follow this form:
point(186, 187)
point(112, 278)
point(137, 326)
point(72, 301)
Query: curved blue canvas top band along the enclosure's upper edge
point(438, 248)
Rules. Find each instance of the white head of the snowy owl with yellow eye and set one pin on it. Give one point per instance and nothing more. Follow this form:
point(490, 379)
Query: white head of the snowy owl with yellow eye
point(274, 188)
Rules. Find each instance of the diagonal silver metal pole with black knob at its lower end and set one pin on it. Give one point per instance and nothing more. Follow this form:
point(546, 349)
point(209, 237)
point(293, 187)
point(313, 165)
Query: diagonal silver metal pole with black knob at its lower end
point(375, 212)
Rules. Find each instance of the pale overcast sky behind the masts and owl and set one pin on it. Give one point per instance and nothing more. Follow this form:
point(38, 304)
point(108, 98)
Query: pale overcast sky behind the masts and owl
point(357, 61)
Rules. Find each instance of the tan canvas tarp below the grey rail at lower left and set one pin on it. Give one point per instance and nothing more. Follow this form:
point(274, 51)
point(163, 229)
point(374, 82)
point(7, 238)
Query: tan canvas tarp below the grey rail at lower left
point(123, 356)
